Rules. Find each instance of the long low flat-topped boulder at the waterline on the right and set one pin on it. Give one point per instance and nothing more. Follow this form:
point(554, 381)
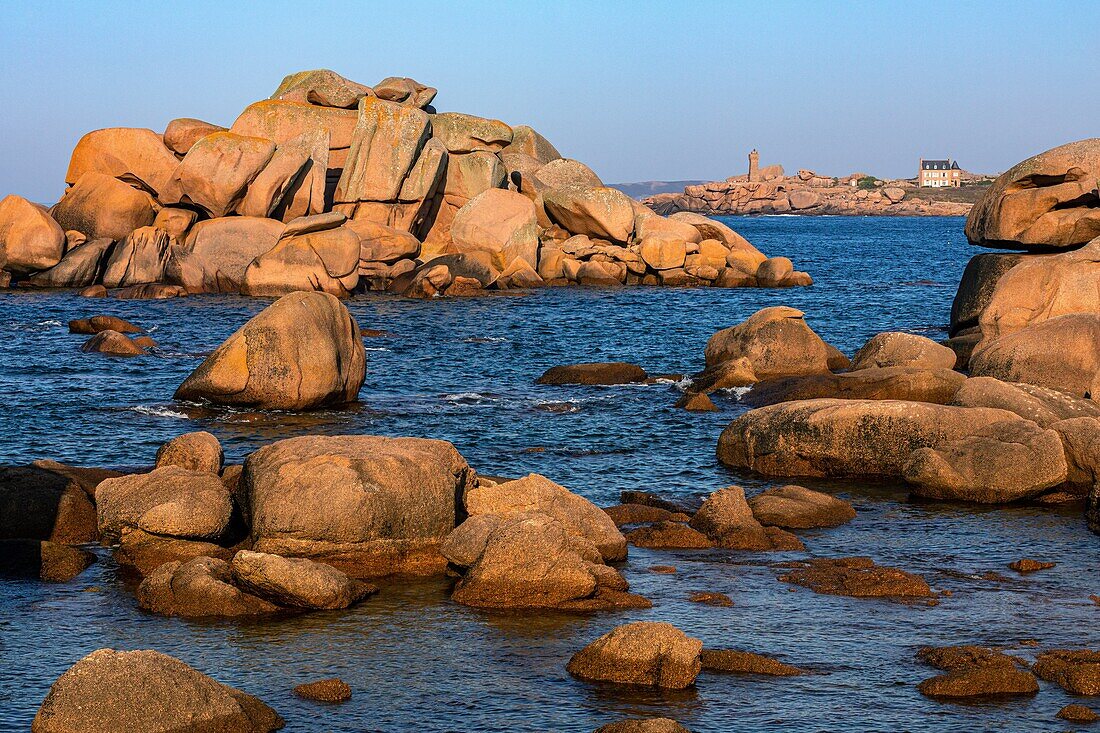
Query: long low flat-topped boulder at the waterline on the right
point(845, 437)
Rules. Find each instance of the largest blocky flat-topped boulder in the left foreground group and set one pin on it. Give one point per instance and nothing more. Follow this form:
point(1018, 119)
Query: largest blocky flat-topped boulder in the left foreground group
point(367, 506)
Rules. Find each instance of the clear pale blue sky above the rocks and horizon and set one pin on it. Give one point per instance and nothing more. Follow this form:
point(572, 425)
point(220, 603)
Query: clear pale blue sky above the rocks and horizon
point(640, 91)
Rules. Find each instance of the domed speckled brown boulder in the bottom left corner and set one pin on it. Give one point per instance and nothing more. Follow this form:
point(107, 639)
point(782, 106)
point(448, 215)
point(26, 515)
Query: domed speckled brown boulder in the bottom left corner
point(148, 692)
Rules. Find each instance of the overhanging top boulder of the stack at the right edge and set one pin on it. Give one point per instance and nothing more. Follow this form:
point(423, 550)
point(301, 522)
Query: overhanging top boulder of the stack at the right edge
point(1049, 202)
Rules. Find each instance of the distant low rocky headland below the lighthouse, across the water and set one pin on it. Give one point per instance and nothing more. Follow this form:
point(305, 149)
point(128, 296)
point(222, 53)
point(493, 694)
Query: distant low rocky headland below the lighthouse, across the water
point(807, 194)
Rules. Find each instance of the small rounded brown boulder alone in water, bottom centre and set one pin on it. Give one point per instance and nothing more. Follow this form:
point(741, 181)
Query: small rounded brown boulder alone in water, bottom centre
point(644, 653)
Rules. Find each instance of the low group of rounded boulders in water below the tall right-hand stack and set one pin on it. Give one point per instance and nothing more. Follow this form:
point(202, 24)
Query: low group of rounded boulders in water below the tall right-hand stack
point(898, 411)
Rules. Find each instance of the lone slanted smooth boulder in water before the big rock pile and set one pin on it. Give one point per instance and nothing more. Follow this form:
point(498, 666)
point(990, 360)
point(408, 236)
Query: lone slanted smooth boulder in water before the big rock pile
point(302, 353)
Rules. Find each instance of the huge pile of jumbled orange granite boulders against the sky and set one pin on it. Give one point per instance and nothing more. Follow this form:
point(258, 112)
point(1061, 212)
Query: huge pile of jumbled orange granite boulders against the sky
point(335, 187)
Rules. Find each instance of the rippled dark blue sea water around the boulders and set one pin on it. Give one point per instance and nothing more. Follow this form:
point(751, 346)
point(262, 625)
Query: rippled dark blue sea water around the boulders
point(464, 370)
